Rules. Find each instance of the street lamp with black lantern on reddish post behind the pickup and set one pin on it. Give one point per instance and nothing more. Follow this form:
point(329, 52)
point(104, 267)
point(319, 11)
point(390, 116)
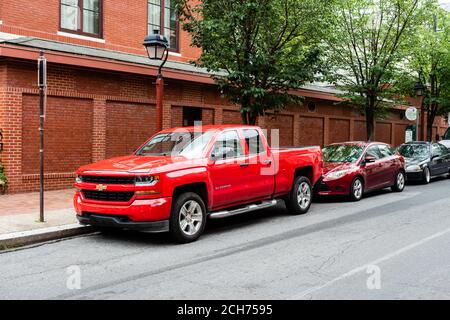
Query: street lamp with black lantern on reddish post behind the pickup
point(157, 48)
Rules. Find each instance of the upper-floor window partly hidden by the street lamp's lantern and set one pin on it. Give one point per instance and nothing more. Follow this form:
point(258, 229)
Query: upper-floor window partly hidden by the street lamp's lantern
point(162, 19)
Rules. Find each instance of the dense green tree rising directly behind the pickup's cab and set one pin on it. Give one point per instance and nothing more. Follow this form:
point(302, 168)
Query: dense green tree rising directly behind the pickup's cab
point(258, 49)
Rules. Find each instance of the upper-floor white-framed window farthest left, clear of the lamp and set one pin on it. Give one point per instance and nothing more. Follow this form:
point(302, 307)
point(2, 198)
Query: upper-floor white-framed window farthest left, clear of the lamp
point(82, 16)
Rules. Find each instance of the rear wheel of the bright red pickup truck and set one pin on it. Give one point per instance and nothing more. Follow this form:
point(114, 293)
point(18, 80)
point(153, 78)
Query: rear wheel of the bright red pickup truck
point(299, 199)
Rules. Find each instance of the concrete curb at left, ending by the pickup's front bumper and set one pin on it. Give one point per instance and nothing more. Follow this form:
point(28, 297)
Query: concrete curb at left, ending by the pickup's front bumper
point(23, 238)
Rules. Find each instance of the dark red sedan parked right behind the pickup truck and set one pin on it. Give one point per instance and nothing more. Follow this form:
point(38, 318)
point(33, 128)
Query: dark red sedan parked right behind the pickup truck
point(354, 168)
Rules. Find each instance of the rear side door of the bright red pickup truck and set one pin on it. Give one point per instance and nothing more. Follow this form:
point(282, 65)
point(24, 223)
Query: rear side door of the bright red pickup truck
point(259, 173)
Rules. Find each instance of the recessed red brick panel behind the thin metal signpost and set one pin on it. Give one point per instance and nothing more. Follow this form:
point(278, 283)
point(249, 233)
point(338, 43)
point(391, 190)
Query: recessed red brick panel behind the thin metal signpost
point(68, 134)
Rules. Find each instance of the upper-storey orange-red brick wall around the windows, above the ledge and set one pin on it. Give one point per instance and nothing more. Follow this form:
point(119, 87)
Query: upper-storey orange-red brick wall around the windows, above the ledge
point(124, 25)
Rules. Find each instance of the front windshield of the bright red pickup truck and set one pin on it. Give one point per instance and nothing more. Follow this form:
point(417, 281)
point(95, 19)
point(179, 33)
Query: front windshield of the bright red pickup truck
point(186, 144)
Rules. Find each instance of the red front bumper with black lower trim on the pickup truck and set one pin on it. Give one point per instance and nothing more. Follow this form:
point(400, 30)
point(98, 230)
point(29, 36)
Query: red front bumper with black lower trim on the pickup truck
point(137, 214)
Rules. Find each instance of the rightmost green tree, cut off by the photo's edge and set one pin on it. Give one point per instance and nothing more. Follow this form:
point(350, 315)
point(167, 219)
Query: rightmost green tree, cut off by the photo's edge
point(429, 63)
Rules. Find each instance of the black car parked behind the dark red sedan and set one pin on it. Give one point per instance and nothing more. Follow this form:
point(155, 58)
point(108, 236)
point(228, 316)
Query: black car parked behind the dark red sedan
point(424, 160)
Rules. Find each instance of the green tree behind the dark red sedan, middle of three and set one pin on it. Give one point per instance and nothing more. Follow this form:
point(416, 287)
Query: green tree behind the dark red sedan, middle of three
point(366, 48)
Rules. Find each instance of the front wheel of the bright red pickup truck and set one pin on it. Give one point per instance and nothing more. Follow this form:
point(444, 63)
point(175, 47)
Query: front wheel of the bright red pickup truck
point(188, 218)
